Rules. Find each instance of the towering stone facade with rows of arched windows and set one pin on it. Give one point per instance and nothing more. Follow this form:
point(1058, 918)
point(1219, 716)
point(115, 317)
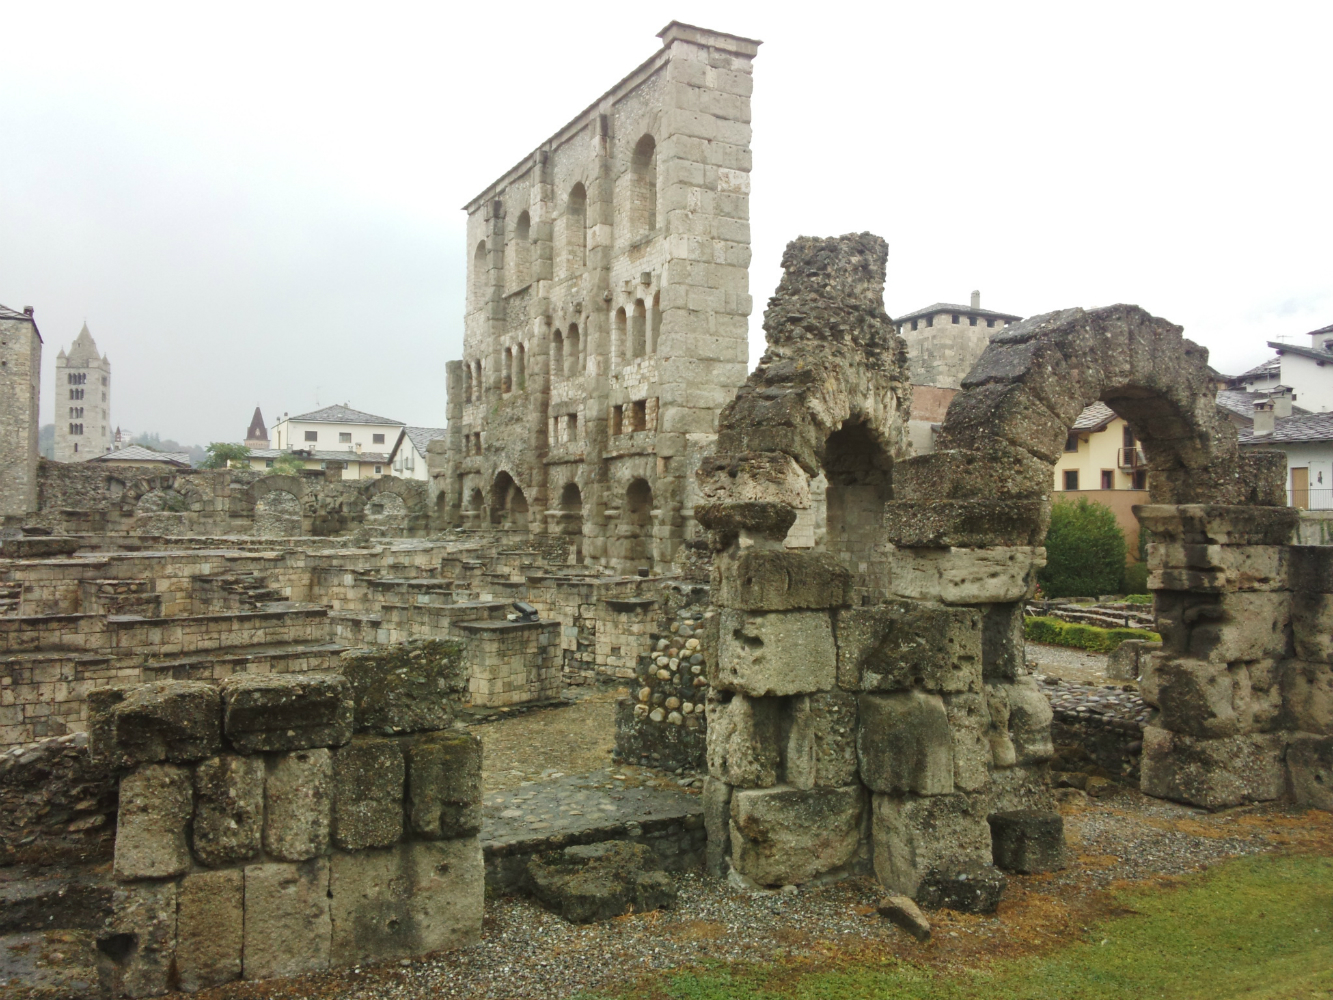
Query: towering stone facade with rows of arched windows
point(607, 313)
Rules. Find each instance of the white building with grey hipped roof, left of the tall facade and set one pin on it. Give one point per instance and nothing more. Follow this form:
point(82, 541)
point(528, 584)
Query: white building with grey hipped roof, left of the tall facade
point(334, 434)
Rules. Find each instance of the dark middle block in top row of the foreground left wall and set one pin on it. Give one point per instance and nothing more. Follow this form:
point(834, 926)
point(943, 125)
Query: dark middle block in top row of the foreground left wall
point(287, 711)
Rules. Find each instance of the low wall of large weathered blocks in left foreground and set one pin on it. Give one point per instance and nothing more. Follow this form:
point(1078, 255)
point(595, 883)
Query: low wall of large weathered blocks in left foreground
point(266, 829)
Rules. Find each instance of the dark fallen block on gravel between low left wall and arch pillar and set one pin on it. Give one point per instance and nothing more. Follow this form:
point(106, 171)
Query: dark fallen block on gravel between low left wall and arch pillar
point(598, 882)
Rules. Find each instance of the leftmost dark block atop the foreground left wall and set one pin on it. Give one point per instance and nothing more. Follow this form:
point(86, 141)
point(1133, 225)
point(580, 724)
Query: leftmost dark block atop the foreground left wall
point(175, 722)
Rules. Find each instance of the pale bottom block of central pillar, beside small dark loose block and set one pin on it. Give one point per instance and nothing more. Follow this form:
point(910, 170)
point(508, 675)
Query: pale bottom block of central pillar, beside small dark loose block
point(916, 835)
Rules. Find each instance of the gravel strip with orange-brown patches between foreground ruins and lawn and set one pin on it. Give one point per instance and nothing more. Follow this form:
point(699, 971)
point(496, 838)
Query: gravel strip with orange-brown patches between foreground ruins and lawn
point(529, 953)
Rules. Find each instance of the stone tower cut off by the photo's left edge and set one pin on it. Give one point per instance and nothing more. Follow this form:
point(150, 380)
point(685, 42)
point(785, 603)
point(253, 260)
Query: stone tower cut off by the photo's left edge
point(21, 386)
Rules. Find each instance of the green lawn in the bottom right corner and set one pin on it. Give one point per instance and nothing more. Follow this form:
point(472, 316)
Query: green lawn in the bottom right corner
point(1259, 929)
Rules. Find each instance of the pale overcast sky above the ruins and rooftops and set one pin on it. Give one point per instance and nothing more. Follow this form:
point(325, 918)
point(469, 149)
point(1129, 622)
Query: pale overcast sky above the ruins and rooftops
point(261, 205)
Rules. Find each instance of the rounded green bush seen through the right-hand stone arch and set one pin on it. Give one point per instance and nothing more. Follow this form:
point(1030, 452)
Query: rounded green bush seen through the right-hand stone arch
point(1086, 551)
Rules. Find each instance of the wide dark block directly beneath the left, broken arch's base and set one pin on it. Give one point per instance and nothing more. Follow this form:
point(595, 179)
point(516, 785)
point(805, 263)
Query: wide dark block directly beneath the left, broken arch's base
point(780, 581)
